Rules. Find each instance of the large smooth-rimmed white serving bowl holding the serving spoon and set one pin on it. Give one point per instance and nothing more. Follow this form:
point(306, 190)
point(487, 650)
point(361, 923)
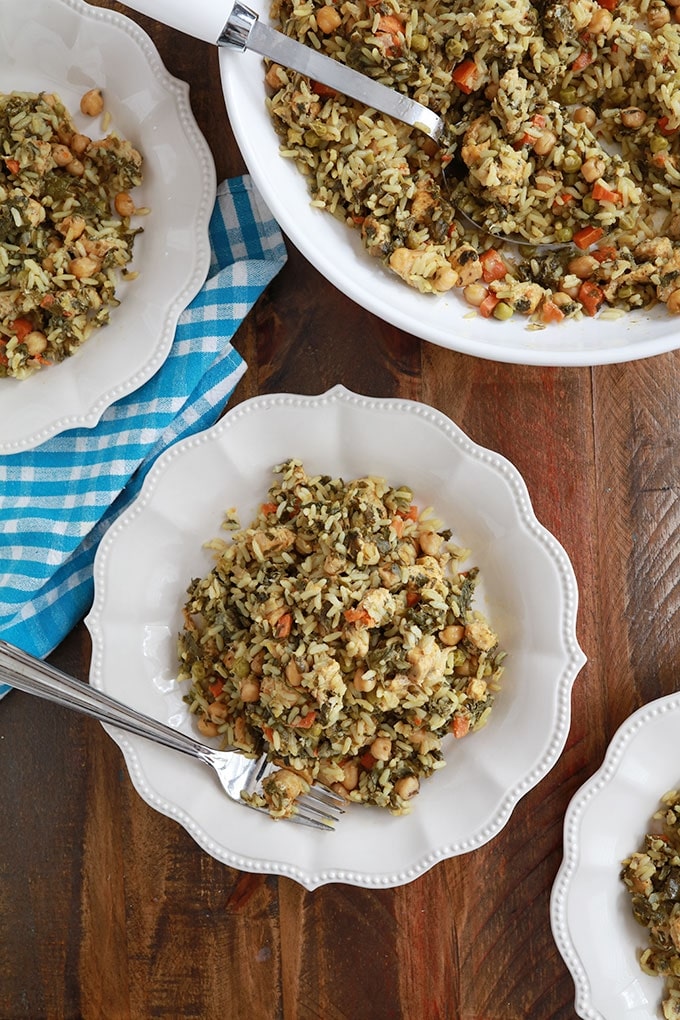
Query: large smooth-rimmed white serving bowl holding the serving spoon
point(447, 321)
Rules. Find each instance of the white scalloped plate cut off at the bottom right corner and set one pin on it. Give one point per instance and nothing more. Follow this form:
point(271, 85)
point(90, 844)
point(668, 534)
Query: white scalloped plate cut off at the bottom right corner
point(606, 822)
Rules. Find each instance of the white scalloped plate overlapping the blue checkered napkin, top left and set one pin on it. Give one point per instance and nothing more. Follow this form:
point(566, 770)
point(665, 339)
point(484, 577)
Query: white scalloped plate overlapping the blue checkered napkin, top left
point(67, 46)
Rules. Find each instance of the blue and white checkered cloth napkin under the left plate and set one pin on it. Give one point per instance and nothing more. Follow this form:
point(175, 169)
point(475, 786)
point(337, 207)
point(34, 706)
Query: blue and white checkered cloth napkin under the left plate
point(58, 501)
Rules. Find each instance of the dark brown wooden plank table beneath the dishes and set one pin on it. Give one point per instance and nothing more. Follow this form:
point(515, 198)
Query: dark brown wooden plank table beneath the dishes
point(111, 910)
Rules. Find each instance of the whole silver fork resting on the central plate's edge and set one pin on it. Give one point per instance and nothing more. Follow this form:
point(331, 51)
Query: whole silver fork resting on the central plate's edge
point(239, 776)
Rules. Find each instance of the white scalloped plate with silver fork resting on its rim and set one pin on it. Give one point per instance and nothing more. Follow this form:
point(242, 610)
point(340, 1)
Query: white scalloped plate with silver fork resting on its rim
point(149, 556)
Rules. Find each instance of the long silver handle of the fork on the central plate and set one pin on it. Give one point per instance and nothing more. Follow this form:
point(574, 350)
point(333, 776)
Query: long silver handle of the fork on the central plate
point(35, 677)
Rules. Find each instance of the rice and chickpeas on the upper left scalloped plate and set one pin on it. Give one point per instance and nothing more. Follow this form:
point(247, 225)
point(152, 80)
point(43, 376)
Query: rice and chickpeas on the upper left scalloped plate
point(66, 236)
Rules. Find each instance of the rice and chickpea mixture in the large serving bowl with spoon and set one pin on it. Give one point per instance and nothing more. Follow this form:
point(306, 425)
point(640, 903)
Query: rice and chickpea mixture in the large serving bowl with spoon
point(562, 125)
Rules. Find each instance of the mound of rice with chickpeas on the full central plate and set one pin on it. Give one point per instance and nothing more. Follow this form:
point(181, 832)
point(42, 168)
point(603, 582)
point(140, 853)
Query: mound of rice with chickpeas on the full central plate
point(335, 635)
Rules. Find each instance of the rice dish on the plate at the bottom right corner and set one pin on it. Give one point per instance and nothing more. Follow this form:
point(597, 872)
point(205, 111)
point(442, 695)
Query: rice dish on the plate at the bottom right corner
point(653, 879)
